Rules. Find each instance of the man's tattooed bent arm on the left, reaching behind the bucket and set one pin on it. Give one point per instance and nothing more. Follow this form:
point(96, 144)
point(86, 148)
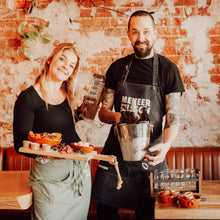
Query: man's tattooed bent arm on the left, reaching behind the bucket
point(106, 114)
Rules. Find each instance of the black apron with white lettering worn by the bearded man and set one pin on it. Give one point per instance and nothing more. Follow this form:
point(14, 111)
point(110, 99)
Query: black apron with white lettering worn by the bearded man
point(134, 193)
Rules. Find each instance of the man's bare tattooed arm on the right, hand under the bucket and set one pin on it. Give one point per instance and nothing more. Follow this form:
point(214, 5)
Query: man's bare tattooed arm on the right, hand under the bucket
point(170, 130)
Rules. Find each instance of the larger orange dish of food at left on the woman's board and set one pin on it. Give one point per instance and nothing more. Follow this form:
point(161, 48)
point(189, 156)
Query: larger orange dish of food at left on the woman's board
point(52, 139)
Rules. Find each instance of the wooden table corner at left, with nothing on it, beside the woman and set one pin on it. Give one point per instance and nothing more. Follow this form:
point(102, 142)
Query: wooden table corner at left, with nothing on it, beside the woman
point(14, 190)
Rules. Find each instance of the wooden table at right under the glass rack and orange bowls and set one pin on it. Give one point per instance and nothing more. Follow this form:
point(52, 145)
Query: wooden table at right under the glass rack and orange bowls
point(209, 209)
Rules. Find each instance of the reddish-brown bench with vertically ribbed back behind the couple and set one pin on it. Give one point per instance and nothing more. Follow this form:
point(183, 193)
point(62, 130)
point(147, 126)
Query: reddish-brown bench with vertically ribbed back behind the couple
point(207, 159)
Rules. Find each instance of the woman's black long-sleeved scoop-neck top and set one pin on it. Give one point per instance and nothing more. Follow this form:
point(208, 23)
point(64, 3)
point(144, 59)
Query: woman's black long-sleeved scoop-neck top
point(31, 114)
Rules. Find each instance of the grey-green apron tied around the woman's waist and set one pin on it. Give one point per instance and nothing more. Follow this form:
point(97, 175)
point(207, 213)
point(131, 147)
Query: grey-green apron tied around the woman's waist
point(61, 189)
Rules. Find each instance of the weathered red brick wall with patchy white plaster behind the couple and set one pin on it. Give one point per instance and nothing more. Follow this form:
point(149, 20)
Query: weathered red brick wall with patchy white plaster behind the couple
point(189, 34)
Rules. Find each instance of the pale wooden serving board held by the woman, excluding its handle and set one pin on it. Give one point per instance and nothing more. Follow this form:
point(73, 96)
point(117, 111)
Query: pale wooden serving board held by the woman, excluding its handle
point(52, 153)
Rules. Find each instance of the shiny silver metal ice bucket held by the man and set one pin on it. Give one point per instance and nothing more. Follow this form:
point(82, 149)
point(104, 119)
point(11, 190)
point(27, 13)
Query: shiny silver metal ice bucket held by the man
point(134, 140)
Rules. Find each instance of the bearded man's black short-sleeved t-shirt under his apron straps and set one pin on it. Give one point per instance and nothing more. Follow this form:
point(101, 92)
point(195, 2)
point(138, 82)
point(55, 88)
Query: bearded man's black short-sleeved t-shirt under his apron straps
point(141, 72)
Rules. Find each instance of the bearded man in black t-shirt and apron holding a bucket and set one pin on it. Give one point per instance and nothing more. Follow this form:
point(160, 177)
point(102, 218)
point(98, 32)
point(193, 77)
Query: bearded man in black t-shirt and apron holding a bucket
point(154, 82)
